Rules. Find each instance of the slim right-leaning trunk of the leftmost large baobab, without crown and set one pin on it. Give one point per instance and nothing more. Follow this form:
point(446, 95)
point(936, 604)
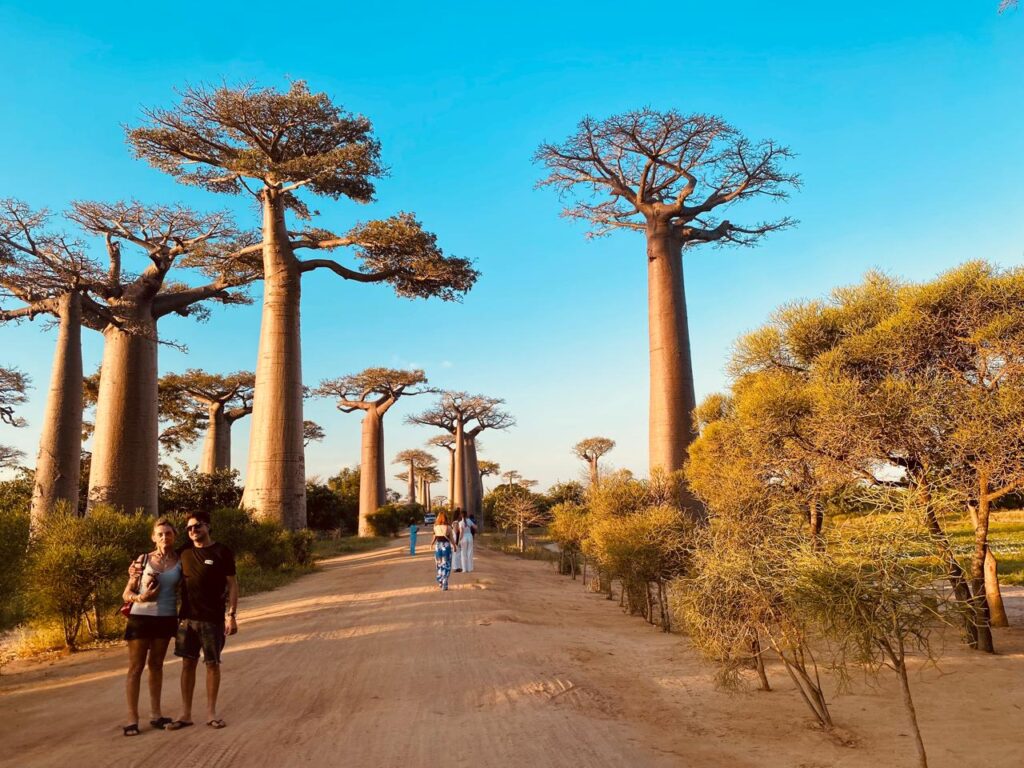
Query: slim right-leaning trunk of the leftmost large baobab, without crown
point(59, 463)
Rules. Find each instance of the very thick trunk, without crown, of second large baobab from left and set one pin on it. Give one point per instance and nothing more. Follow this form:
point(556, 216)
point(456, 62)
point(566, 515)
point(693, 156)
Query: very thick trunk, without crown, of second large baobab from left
point(125, 451)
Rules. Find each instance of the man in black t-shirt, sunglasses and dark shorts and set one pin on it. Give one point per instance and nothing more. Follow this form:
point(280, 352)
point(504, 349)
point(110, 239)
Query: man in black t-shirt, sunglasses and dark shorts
point(209, 603)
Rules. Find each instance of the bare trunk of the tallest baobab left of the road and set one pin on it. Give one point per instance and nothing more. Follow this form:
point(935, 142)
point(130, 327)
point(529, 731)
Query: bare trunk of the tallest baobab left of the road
point(276, 478)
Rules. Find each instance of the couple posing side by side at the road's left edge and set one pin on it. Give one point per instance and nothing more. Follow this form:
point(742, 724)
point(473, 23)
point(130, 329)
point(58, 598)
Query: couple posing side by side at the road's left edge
point(204, 575)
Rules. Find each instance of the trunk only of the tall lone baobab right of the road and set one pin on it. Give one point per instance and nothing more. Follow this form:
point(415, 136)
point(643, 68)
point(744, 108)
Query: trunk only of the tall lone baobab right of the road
point(672, 396)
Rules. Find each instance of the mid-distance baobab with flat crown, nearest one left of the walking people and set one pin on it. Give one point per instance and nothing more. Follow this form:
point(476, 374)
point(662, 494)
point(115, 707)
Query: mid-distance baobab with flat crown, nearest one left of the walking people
point(373, 392)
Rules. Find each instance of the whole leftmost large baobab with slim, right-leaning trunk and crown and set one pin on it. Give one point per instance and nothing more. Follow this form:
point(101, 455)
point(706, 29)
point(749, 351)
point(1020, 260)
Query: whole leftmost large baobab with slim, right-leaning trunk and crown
point(46, 273)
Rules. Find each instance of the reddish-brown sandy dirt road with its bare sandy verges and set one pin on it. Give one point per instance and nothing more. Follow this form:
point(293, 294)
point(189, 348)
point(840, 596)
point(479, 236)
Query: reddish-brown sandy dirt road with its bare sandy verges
point(367, 664)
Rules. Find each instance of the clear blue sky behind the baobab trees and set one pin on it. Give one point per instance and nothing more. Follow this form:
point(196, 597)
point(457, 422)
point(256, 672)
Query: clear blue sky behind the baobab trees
point(908, 119)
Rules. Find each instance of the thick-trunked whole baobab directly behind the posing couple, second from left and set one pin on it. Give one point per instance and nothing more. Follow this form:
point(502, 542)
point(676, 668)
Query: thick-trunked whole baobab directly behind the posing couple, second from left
point(124, 470)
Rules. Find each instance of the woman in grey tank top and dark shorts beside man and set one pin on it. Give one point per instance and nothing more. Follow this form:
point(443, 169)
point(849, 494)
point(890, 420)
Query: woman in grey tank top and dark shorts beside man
point(152, 590)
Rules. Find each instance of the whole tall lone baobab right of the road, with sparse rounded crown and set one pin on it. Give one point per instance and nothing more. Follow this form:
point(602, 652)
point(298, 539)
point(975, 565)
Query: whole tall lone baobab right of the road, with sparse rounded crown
point(670, 177)
